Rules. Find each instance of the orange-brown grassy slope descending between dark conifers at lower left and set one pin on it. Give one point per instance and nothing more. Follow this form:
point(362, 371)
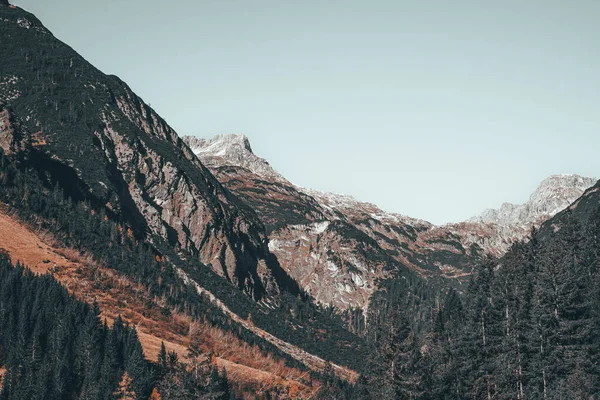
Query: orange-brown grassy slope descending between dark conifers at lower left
point(250, 370)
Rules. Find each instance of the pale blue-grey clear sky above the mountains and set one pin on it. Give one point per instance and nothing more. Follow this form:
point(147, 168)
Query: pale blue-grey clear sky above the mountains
point(434, 109)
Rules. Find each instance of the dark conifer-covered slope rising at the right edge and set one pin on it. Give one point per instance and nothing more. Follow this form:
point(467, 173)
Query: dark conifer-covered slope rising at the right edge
point(528, 322)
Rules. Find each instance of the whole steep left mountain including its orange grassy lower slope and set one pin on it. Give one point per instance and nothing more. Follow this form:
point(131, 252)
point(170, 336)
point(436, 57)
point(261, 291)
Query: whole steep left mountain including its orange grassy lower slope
point(96, 174)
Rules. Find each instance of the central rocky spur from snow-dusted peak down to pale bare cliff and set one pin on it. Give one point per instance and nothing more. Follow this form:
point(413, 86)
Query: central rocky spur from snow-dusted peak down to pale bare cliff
point(326, 255)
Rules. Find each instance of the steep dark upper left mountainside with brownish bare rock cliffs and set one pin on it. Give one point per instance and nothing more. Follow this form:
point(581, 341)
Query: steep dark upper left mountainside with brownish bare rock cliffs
point(101, 142)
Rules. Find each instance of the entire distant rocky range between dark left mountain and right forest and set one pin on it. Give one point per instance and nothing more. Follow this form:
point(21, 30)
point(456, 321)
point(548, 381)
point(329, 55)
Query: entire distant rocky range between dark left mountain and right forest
point(337, 248)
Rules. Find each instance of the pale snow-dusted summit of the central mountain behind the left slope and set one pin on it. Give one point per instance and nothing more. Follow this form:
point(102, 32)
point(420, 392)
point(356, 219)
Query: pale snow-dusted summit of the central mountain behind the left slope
point(231, 150)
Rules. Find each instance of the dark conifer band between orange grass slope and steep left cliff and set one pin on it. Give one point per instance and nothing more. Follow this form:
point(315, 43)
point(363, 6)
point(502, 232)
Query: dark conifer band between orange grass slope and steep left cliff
point(39, 200)
